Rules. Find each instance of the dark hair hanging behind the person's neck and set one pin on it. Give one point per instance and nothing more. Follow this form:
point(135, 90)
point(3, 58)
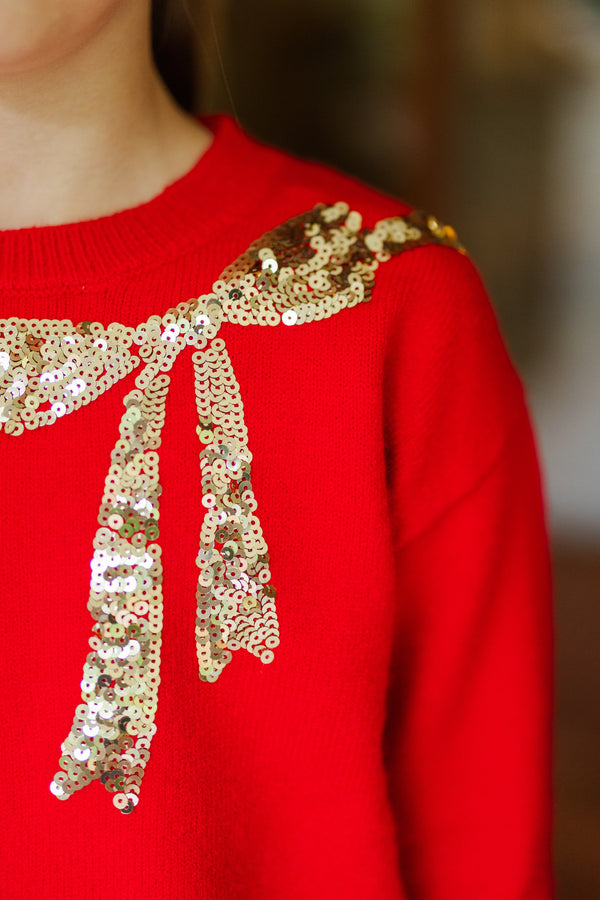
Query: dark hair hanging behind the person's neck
point(175, 50)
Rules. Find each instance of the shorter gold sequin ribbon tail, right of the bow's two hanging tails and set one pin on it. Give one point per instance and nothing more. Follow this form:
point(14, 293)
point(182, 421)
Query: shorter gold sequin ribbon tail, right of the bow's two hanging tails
point(236, 603)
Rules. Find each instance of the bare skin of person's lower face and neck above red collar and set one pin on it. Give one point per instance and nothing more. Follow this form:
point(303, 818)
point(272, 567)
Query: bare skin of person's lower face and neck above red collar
point(87, 127)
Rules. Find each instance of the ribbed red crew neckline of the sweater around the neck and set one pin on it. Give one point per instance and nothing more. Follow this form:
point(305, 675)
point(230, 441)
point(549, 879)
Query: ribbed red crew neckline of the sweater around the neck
point(224, 182)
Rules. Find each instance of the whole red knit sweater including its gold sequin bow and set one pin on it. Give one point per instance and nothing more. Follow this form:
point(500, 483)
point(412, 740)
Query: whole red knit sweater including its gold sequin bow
point(373, 631)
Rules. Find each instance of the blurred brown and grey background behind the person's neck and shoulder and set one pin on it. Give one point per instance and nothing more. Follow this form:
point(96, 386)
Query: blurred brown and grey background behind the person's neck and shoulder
point(488, 115)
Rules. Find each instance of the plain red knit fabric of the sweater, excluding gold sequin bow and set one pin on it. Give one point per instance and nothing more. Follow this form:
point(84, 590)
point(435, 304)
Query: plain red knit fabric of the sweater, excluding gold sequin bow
point(397, 746)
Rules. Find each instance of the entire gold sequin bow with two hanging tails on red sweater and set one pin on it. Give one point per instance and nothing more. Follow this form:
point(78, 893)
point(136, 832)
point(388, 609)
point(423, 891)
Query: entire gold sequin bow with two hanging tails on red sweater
point(306, 269)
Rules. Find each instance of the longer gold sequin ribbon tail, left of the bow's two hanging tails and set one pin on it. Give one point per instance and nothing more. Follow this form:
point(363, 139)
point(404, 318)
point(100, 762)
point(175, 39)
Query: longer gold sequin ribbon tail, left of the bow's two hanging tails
point(113, 727)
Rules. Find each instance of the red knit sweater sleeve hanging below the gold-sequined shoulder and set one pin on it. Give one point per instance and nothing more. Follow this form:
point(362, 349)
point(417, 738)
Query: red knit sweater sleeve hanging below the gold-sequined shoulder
point(467, 742)
